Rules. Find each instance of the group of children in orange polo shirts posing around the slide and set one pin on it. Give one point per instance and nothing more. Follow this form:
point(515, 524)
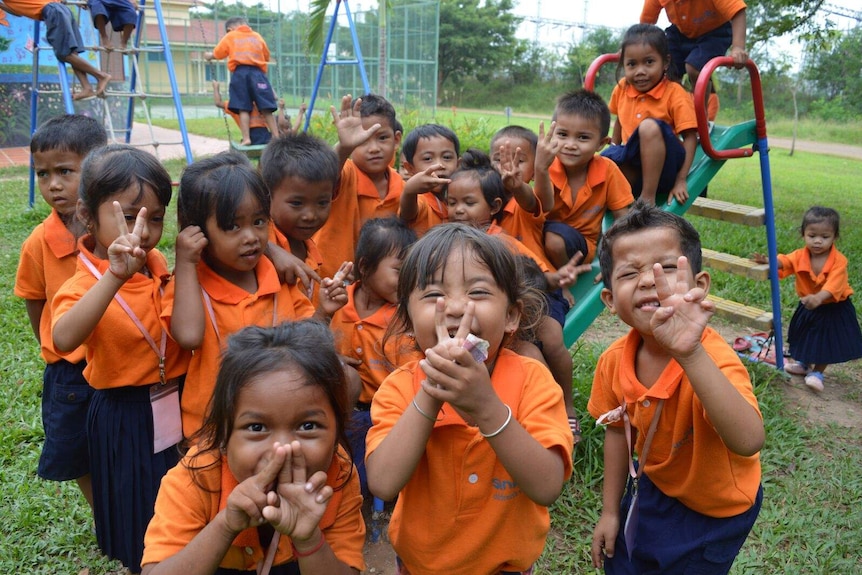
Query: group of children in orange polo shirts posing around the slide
point(331, 330)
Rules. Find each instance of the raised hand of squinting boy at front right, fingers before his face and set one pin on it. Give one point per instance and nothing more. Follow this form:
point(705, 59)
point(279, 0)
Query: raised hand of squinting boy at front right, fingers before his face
point(679, 323)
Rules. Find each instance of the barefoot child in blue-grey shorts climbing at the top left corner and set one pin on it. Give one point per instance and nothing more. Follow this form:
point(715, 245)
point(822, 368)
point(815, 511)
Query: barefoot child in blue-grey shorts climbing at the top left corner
point(63, 35)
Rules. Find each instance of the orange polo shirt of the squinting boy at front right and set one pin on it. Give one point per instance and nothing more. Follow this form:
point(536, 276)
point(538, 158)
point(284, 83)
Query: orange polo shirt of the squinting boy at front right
point(688, 461)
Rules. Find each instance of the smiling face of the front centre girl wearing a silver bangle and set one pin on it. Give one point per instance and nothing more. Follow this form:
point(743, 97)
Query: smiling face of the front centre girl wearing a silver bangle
point(463, 279)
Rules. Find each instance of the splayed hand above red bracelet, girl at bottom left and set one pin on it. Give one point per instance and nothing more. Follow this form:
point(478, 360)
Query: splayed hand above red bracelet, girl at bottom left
point(298, 502)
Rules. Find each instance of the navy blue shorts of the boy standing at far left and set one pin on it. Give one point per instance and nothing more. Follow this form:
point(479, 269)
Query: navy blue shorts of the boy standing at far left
point(65, 401)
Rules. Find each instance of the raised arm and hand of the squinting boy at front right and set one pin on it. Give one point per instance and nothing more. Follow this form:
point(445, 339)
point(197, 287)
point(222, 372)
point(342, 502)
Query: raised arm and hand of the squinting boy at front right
point(678, 327)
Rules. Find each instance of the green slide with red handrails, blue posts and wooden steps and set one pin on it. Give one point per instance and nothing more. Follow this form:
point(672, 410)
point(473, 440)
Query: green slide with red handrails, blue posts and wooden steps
point(716, 147)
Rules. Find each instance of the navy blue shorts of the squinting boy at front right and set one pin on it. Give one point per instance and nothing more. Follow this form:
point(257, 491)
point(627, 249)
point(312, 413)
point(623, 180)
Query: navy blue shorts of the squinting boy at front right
point(673, 539)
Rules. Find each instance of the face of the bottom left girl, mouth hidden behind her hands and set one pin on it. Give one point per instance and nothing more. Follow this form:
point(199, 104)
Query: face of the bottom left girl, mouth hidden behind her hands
point(280, 406)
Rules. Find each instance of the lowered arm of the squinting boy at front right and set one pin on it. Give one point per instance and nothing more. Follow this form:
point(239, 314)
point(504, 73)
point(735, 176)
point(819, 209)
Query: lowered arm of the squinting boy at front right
point(615, 478)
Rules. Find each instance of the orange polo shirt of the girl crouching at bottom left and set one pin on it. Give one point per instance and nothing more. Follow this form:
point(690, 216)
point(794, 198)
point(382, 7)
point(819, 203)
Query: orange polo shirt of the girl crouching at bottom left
point(188, 501)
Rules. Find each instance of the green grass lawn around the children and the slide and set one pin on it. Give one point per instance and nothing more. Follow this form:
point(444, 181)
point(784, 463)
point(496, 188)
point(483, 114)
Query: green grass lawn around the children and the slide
point(811, 520)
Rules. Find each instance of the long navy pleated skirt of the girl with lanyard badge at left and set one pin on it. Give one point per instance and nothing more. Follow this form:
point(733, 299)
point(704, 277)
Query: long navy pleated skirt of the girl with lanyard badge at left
point(126, 474)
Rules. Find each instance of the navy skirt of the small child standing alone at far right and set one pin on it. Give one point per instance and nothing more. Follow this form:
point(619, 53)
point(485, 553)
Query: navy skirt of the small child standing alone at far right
point(827, 334)
